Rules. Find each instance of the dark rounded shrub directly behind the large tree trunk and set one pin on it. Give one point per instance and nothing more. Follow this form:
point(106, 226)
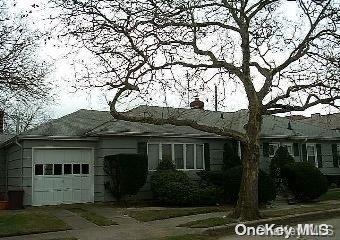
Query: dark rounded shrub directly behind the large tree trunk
point(232, 183)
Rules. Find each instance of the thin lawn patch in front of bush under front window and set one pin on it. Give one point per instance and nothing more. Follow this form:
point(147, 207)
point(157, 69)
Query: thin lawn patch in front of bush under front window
point(151, 215)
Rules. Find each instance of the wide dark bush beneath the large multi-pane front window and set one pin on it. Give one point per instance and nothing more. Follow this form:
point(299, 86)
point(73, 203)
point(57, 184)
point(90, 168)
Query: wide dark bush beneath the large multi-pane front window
point(173, 187)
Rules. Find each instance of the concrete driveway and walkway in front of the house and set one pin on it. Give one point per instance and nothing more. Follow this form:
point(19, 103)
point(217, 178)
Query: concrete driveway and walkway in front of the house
point(128, 228)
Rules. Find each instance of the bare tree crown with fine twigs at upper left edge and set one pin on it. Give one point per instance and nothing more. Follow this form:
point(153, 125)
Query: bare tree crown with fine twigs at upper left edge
point(21, 72)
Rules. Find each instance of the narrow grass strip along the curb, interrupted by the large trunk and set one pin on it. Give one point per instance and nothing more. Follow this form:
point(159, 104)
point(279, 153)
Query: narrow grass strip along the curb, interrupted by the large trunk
point(219, 221)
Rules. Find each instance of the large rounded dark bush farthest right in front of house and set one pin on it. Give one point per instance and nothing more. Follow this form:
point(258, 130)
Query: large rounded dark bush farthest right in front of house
point(304, 180)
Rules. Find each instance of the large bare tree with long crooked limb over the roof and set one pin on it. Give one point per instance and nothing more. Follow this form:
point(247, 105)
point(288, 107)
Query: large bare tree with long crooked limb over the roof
point(285, 60)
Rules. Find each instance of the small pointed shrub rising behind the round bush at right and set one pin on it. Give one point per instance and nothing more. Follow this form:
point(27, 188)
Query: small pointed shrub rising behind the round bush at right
point(281, 158)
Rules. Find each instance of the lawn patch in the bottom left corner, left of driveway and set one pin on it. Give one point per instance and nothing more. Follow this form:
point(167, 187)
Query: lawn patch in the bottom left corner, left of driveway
point(28, 222)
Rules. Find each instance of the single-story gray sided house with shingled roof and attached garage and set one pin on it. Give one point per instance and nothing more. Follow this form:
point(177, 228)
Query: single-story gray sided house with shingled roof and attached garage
point(62, 161)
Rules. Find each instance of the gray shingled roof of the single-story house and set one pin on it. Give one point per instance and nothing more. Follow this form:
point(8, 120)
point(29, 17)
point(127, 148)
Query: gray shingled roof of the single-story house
point(95, 123)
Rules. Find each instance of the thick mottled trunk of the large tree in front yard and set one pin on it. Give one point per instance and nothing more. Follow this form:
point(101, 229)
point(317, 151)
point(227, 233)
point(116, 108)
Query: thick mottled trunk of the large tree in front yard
point(247, 207)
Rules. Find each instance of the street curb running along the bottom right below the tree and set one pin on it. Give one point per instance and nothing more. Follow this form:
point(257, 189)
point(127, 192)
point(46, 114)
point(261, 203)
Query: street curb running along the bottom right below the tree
point(285, 220)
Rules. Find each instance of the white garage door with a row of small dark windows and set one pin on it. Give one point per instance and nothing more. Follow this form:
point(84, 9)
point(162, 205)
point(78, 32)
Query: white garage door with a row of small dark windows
point(62, 176)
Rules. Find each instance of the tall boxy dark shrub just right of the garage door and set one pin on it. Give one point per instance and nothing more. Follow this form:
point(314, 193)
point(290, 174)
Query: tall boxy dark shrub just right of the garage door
point(127, 173)
